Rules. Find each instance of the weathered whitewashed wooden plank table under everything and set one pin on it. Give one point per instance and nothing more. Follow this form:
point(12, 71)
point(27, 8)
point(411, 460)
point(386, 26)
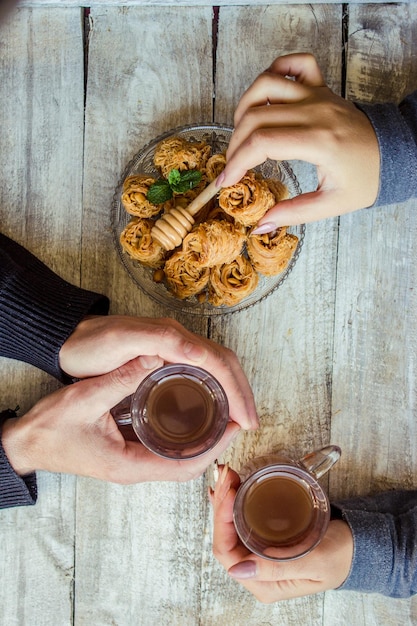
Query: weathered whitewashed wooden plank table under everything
point(331, 355)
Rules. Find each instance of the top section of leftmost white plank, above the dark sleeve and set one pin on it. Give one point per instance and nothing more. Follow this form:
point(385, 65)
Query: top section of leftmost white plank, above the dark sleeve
point(42, 134)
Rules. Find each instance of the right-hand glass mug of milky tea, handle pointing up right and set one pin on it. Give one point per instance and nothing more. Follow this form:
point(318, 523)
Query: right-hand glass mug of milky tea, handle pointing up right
point(281, 512)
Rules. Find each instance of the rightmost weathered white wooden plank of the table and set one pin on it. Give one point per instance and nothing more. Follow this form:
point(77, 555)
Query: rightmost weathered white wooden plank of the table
point(374, 387)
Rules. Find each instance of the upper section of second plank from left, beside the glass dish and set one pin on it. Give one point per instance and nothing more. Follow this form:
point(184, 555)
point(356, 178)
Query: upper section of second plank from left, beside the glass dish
point(158, 83)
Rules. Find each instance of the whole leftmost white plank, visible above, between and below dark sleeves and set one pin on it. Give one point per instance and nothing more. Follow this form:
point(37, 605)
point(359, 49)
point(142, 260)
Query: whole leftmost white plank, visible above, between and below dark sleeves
point(41, 140)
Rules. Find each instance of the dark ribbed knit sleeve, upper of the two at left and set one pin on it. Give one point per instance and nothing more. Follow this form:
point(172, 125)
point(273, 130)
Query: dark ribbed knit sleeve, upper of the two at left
point(38, 309)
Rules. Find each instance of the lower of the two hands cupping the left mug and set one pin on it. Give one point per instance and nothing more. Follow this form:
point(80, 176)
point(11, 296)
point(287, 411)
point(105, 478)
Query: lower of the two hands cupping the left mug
point(72, 431)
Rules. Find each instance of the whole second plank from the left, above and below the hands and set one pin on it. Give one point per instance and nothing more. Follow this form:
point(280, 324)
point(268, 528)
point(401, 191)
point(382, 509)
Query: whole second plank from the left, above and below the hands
point(138, 548)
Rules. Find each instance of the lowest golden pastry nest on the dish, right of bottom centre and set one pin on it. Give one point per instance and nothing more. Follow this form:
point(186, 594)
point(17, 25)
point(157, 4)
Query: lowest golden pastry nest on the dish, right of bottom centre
point(232, 282)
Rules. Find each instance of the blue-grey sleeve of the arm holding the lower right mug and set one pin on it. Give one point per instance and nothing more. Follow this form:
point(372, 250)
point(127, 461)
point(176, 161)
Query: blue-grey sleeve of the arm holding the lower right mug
point(384, 529)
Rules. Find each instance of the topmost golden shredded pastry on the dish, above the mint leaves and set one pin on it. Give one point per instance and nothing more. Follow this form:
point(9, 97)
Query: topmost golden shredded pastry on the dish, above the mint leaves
point(180, 154)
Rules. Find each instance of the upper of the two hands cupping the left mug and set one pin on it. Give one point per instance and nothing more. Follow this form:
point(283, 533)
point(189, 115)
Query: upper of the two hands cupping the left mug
point(101, 344)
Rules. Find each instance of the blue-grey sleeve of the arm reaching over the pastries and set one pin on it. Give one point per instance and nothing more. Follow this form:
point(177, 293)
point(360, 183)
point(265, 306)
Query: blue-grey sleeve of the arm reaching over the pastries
point(396, 130)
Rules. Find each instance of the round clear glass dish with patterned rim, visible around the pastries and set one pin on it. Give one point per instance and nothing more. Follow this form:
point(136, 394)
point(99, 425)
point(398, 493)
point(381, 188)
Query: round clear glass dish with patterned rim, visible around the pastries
point(218, 137)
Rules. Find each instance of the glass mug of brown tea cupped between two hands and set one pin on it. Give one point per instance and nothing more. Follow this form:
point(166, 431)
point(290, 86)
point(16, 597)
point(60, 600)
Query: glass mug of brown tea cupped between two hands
point(178, 411)
